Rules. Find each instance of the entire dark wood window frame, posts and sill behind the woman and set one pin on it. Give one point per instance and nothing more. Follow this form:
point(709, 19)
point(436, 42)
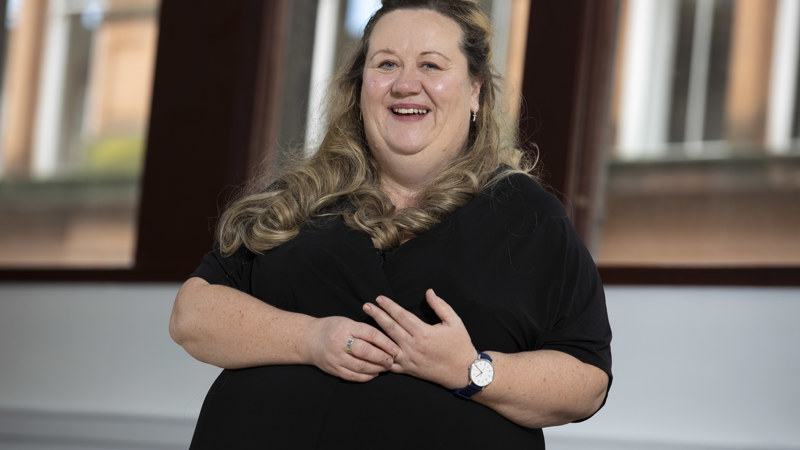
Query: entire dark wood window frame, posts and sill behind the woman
point(214, 108)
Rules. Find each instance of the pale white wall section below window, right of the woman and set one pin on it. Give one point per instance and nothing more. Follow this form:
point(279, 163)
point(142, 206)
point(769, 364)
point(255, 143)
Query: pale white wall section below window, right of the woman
point(706, 367)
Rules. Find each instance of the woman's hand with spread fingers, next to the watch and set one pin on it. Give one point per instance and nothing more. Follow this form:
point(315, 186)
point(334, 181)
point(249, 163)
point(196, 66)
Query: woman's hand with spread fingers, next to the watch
point(440, 353)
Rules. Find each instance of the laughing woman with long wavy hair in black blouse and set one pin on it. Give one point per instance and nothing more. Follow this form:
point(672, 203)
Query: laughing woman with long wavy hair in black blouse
point(488, 321)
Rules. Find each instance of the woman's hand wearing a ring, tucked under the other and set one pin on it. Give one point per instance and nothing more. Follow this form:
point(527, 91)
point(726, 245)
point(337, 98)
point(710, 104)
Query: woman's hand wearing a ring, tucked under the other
point(351, 350)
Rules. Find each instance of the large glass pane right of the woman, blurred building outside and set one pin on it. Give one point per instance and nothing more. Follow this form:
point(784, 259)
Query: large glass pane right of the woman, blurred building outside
point(704, 167)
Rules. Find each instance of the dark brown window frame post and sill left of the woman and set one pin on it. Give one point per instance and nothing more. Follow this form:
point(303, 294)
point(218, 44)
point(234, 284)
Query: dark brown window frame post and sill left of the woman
point(210, 107)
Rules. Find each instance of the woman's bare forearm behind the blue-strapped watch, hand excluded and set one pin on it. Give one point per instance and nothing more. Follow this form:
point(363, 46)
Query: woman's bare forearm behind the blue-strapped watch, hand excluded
point(543, 388)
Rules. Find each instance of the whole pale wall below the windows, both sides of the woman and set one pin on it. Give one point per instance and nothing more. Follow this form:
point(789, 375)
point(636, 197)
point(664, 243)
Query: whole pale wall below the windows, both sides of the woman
point(694, 368)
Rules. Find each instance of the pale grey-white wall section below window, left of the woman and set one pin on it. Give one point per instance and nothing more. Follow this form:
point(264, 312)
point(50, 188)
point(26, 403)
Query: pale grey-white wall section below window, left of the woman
point(95, 362)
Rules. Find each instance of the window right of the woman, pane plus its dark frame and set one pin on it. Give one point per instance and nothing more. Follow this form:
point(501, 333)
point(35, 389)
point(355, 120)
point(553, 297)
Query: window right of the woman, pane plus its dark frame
point(575, 114)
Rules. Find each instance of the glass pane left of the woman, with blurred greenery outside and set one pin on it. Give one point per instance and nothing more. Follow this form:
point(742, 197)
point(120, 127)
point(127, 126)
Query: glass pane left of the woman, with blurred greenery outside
point(76, 84)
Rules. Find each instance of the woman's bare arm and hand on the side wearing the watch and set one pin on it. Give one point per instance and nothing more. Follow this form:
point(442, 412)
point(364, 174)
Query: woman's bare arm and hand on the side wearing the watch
point(535, 389)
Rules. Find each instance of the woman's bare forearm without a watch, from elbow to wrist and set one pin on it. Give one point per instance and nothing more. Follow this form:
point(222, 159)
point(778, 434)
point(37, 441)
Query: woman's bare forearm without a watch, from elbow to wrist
point(230, 329)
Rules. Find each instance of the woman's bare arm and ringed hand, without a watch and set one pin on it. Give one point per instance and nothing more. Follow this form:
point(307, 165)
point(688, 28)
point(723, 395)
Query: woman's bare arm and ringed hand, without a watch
point(225, 327)
